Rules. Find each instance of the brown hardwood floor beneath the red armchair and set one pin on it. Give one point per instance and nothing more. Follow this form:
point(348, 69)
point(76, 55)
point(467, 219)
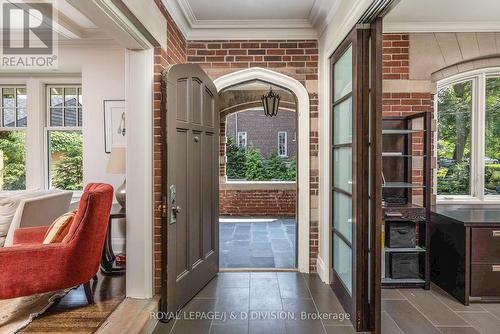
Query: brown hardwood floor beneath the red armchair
point(73, 314)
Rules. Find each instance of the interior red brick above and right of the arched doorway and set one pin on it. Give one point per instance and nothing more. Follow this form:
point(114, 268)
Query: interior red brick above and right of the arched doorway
point(295, 58)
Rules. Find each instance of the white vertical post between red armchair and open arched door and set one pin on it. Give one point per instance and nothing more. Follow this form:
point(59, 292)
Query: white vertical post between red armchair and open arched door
point(139, 240)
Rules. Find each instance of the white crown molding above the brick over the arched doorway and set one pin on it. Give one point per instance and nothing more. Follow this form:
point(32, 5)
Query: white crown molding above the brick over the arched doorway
point(195, 29)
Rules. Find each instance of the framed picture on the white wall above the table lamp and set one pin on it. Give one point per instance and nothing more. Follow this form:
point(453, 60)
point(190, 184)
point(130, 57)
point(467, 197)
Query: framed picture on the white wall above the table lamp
point(114, 124)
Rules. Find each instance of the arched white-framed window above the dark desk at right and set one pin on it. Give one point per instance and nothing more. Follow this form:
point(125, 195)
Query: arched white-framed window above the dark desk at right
point(468, 137)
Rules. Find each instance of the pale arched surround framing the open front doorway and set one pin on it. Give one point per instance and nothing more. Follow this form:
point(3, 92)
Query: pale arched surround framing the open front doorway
point(303, 173)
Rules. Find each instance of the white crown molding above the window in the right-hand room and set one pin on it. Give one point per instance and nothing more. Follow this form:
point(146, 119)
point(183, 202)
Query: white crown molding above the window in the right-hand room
point(416, 27)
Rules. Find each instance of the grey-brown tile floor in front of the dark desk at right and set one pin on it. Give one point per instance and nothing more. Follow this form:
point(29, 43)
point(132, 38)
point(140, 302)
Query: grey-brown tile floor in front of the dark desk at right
point(435, 312)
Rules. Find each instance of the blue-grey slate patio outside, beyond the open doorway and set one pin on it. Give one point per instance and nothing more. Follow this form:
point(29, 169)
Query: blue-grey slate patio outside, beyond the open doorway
point(257, 243)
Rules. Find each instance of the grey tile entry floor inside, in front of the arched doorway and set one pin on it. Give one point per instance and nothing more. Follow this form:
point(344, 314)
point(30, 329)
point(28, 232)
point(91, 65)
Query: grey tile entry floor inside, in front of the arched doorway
point(258, 295)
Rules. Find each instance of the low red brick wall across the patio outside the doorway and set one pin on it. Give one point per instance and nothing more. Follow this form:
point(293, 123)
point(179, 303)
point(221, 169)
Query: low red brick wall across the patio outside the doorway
point(254, 203)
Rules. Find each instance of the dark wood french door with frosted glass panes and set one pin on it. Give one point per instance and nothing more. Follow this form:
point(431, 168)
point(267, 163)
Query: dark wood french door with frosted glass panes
point(355, 174)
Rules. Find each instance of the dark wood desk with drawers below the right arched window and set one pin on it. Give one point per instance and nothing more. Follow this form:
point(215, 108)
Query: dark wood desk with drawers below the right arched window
point(465, 252)
